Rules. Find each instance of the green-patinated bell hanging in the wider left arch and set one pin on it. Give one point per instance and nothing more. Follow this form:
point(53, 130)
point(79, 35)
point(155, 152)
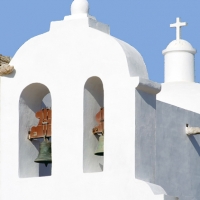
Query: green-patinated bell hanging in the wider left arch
point(44, 153)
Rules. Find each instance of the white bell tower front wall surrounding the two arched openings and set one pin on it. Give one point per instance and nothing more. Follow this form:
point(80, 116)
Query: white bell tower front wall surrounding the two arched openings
point(66, 57)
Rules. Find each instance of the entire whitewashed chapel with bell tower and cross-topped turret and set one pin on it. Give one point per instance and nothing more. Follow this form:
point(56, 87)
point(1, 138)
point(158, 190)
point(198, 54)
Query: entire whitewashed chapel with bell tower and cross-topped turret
point(88, 123)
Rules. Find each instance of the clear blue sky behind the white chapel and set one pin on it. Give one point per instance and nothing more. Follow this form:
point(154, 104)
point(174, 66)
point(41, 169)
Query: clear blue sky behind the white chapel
point(142, 23)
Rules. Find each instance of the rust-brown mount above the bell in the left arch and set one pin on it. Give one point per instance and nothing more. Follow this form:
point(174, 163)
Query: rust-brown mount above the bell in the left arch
point(44, 126)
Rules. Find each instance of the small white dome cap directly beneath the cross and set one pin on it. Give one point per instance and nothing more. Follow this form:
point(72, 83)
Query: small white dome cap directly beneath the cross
point(179, 45)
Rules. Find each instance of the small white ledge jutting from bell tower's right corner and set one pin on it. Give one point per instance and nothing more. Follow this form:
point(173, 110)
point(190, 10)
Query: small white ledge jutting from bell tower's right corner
point(146, 85)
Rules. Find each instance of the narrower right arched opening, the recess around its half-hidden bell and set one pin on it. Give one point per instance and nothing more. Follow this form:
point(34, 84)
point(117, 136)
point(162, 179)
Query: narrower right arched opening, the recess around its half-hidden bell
point(93, 102)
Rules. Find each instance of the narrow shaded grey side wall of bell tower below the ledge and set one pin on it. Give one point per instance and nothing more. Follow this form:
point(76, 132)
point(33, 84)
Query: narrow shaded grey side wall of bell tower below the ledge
point(145, 136)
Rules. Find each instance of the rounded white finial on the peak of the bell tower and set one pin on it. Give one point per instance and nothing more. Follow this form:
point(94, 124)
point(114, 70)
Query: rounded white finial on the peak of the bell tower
point(79, 7)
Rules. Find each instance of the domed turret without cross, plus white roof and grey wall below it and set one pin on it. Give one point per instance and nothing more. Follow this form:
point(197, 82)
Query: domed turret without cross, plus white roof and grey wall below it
point(177, 144)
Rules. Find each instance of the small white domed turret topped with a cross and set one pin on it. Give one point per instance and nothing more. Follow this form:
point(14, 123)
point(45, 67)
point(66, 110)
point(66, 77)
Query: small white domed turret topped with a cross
point(179, 59)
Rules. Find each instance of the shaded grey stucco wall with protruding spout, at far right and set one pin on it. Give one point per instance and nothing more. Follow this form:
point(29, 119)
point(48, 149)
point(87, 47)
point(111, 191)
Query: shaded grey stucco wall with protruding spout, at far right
point(177, 155)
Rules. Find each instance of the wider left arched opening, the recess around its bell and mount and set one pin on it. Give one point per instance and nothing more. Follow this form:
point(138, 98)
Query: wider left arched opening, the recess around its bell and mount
point(33, 98)
